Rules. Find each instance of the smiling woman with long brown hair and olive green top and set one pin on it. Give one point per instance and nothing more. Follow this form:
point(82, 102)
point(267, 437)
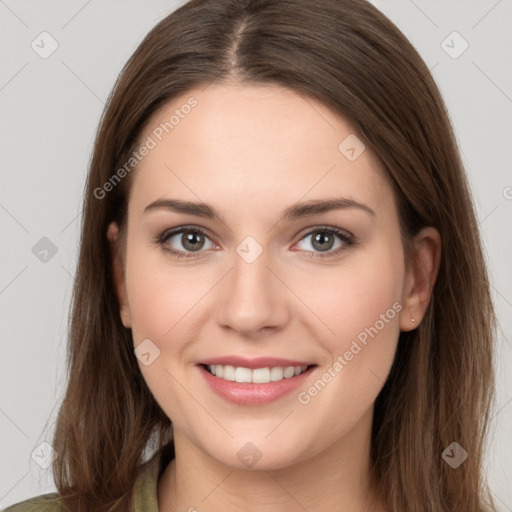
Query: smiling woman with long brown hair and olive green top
point(330, 344)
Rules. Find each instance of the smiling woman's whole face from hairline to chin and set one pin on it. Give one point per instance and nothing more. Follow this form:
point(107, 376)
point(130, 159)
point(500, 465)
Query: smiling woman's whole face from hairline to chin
point(256, 284)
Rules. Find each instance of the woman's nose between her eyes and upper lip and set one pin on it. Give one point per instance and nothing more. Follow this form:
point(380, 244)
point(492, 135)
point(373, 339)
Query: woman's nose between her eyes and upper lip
point(253, 299)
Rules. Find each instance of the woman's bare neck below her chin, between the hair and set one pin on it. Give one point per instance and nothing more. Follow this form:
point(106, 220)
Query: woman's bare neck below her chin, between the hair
point(336, 479)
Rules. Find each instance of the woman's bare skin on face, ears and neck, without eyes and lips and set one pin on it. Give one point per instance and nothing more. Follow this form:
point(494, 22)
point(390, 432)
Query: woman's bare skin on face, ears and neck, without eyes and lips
point(251, 151)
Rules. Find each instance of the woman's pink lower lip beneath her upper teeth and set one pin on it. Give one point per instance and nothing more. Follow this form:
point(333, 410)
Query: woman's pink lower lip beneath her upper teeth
point(249, 393)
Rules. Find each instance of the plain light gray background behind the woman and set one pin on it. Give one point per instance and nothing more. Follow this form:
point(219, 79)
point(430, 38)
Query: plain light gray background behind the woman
point(50, 112)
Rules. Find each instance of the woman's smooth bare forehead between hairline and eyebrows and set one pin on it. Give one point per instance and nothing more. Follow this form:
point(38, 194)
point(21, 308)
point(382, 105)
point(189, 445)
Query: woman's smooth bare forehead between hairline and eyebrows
point(253, 146)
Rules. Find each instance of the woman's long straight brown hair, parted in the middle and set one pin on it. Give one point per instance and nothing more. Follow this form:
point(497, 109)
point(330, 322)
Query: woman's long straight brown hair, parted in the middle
point(350, 57)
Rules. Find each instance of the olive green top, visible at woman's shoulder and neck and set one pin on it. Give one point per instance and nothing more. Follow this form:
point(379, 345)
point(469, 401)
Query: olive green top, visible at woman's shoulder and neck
point(144, 490)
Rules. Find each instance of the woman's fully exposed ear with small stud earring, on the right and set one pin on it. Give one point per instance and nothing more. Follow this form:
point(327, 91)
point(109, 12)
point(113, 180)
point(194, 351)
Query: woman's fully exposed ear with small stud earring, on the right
point(420, 277)
